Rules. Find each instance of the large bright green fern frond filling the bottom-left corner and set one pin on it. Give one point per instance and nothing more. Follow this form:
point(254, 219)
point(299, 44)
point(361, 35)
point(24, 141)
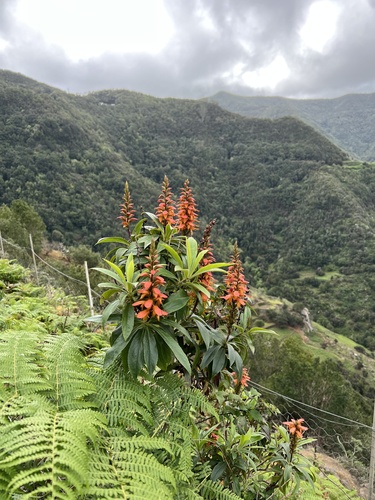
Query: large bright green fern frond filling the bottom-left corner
point(49, 451)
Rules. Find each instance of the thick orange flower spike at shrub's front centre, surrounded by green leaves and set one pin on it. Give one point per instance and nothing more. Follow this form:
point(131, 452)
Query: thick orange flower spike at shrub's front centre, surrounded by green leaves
point(151, 297)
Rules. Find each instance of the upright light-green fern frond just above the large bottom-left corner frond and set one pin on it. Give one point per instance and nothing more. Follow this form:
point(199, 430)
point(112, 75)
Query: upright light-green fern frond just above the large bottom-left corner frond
point(68, 375)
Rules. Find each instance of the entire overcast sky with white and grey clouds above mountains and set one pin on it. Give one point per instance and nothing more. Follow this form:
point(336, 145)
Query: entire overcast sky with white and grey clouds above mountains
point(193, 48)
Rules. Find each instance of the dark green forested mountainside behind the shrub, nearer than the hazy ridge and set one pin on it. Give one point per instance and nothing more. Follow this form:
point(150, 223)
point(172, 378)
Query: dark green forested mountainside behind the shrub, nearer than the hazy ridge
point(288, 194)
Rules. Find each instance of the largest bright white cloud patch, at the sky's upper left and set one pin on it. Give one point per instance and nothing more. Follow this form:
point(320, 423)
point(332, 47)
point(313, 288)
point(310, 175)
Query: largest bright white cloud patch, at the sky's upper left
point(89, 28)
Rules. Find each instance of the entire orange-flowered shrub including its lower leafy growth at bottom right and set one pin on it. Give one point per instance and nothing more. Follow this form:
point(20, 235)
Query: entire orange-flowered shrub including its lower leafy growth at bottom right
point(171, 314)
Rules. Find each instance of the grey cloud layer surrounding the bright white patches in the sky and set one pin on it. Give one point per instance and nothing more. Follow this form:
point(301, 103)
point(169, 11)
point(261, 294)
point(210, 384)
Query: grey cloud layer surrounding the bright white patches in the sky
point(195, 61)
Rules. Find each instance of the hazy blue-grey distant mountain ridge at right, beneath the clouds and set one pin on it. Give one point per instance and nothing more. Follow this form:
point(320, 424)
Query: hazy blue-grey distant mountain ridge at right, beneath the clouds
point(349, 121)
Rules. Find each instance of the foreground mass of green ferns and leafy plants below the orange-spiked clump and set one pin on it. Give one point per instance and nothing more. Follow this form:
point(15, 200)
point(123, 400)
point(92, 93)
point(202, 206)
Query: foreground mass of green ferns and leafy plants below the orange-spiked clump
point(71, 430)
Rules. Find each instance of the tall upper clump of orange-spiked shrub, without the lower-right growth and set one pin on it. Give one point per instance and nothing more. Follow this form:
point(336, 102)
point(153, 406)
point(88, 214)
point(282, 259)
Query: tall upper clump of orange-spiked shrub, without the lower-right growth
point(170, 313)
